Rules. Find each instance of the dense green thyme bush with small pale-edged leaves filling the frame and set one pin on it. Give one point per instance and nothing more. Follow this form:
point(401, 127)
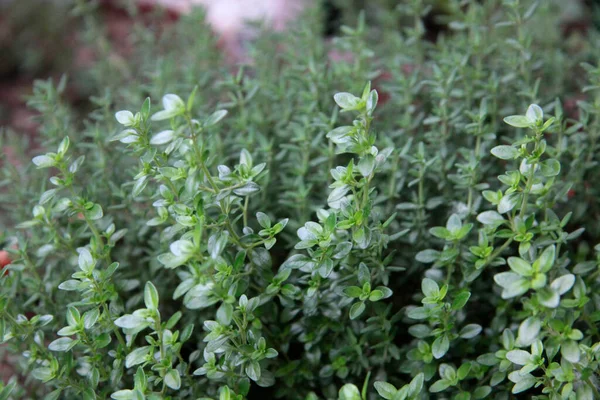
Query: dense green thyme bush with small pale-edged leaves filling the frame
point(292, 231)
